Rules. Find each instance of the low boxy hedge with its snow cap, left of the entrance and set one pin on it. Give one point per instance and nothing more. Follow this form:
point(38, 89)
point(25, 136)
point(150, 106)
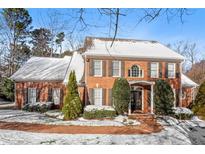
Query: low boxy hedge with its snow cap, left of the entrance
point(98, 112)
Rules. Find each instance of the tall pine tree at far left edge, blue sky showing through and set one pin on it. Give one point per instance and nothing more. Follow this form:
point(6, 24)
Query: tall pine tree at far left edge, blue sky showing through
point(16, 25)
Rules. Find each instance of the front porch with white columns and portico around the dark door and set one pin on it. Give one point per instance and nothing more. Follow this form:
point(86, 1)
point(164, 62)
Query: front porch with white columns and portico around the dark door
point(141, 97)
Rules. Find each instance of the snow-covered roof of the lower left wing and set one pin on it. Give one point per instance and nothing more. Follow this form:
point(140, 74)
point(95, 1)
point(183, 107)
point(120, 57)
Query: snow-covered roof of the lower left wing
point(49, 69)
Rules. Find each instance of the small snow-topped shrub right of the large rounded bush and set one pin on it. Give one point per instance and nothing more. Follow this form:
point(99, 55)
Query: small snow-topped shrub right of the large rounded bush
point(182, 113)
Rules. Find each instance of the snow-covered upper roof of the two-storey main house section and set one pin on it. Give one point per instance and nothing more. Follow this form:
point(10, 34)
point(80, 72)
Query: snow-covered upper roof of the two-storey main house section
point(129, 48)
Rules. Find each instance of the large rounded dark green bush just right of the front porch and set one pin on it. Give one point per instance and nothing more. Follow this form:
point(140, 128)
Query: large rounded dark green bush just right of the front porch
point(163, 98)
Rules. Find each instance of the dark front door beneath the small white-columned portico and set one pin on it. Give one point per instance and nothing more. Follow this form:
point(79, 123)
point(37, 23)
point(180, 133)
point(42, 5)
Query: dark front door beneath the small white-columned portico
point(136, 100)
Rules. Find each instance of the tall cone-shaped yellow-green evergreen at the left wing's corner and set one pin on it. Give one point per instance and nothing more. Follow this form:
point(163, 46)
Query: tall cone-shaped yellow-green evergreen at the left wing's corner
point(72, 106)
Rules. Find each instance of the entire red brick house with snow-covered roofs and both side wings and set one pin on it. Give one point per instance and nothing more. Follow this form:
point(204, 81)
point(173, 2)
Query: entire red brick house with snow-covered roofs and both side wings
point(98, 65)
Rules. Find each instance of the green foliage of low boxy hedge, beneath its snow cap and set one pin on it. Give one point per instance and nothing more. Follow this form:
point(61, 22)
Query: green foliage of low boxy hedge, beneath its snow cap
point(99, 114)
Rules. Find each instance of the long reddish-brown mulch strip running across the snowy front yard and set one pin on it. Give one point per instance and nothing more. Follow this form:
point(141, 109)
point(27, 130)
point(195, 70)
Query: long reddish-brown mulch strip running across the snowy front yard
point(63, 129)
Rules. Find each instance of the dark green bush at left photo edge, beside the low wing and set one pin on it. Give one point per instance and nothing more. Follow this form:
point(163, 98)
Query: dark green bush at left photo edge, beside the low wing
point(7, 88)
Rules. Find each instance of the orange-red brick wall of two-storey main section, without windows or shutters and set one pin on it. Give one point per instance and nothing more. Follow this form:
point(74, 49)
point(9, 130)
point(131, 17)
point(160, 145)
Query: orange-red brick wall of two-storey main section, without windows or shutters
point(107, 82)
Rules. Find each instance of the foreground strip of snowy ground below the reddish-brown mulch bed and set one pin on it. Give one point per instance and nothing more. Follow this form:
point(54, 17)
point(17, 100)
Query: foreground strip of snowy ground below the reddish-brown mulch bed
point(168, 136)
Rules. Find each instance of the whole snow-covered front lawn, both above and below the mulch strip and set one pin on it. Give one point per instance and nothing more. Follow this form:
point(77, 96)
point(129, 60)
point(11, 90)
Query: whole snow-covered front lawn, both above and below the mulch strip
point(175, 131)
